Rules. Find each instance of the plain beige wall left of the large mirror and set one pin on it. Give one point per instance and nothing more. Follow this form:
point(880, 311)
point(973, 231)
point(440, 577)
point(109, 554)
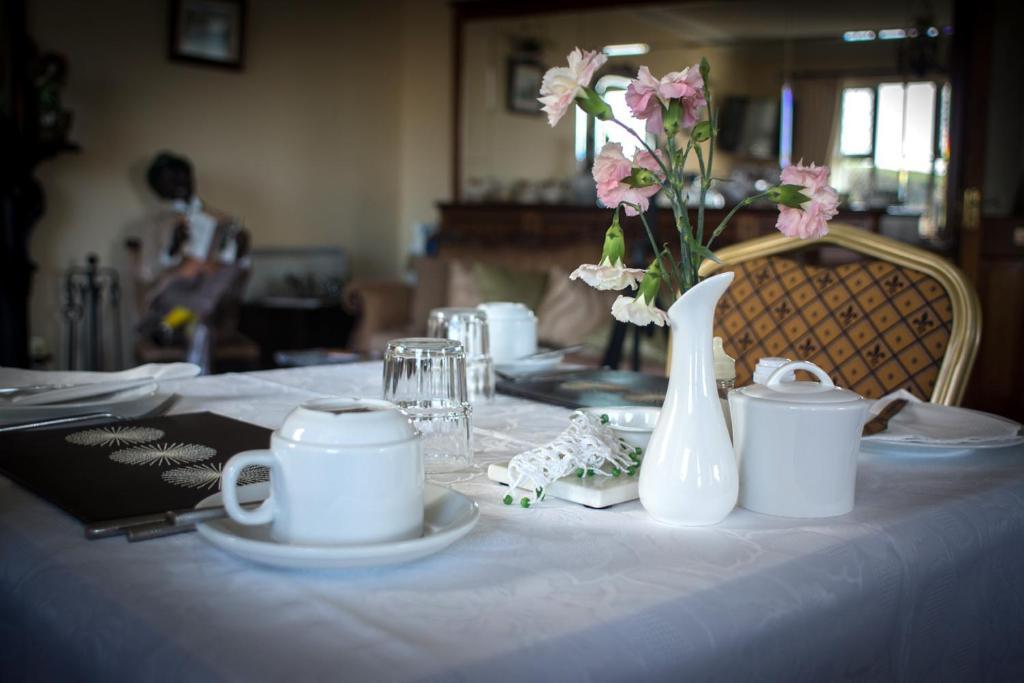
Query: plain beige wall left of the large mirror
point(336, 133)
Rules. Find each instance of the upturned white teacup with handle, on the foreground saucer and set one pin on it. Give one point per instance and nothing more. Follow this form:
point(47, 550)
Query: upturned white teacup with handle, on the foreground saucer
point(344, 472)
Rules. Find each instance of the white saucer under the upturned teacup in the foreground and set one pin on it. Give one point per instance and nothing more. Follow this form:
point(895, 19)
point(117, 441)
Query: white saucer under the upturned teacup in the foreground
point(448, 517)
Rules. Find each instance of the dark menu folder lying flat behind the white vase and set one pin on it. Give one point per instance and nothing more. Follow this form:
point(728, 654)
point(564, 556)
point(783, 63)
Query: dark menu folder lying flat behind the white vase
point(590, 389)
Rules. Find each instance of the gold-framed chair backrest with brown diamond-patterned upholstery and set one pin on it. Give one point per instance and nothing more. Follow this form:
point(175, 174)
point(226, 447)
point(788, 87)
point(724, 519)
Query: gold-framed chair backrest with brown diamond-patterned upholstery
point(898, 318)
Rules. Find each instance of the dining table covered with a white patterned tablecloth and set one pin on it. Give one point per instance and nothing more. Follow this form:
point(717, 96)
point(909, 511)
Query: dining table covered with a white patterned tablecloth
point(924, 580)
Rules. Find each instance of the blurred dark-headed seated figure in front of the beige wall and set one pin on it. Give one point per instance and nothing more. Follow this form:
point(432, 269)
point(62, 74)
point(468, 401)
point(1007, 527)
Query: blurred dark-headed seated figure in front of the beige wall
point(191, 267)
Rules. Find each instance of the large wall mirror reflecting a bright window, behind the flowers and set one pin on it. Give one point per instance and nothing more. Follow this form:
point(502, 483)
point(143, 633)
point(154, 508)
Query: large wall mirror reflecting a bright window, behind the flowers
point(863, 88)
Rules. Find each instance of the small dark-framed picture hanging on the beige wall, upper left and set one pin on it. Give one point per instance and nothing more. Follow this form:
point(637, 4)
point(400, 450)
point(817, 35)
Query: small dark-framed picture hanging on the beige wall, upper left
point(208, 32)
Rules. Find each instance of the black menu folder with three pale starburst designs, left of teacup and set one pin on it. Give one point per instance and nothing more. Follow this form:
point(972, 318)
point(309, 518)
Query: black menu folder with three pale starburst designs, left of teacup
point(133, 468)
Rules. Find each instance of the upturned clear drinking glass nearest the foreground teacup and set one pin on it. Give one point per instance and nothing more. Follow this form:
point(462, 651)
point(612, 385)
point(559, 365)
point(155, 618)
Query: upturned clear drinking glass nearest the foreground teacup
point(426, 378)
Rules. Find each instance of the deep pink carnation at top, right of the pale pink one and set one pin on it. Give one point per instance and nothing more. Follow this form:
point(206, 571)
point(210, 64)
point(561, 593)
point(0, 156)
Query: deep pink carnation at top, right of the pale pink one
point(647, 96)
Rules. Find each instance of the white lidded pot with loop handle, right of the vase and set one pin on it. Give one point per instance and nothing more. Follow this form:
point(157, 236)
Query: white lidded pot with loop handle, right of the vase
point(797, 444)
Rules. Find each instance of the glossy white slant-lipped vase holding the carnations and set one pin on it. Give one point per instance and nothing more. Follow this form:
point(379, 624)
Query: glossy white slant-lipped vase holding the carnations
point(689, 477)
